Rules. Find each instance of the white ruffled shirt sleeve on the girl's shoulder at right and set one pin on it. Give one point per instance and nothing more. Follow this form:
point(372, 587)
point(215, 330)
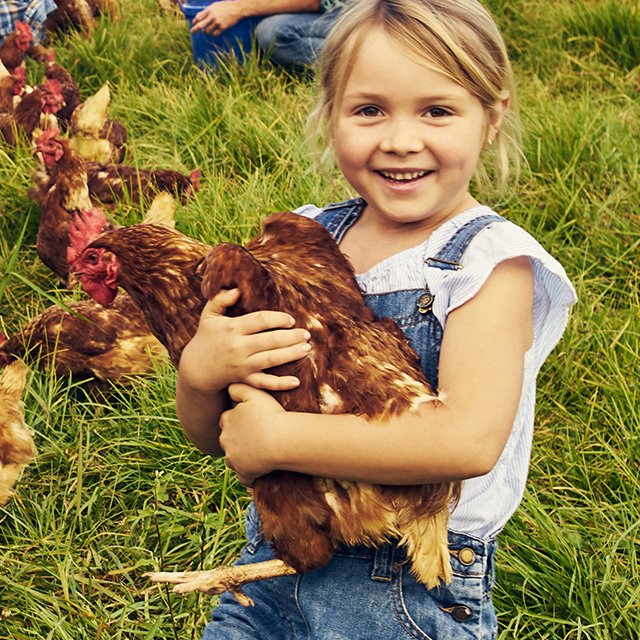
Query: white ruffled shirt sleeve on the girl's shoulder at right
point(553, 292)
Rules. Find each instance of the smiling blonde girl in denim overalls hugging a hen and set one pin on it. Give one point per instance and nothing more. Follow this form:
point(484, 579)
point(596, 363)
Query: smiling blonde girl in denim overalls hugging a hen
point(415, 96)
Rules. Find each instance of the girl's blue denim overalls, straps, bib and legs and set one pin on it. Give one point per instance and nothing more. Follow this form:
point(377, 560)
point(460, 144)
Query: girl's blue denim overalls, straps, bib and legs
point(370, 594)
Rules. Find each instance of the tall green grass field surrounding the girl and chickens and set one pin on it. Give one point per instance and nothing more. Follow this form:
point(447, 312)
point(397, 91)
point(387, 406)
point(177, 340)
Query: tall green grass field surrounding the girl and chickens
point(117, 490)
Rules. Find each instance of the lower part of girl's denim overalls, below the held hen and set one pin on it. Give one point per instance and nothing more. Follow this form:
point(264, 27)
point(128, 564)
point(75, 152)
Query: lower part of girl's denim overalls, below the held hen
point(363, 594)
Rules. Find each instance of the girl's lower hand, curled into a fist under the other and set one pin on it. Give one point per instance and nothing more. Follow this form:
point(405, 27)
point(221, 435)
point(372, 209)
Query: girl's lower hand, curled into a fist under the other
point(243, 432)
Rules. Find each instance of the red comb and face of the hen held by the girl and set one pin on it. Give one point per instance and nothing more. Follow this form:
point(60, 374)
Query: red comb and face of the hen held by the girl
point(95, 267)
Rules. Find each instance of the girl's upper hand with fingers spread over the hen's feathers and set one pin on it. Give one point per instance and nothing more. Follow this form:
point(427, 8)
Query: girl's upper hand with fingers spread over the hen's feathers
point(227, 350)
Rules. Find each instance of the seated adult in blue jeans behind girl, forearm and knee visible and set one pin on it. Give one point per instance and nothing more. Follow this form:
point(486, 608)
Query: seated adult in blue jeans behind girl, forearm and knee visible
point(291, 34)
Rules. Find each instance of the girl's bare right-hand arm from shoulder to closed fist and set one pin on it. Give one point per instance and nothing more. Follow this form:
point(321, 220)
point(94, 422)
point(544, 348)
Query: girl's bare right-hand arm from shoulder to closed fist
point(481, 373)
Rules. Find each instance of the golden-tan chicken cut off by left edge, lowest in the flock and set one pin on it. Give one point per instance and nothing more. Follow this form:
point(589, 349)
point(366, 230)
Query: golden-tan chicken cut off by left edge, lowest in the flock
point(16, 443)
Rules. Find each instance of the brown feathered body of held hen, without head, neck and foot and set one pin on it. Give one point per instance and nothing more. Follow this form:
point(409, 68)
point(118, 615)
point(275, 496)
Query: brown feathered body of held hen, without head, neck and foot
point(360, 365)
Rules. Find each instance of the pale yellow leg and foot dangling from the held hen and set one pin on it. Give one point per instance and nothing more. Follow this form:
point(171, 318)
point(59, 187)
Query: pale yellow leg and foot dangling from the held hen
point(231, 579)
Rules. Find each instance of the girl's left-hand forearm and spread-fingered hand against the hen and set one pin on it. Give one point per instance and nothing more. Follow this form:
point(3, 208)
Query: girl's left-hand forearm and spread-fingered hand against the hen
point(227, 350)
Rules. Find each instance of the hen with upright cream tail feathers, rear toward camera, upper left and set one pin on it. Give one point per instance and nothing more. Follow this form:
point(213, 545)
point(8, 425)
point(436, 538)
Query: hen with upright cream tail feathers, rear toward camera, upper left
point(95, 136)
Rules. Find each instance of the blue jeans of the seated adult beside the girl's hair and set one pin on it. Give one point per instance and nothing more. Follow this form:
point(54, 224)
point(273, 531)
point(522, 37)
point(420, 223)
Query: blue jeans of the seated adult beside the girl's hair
point(294, 40)
